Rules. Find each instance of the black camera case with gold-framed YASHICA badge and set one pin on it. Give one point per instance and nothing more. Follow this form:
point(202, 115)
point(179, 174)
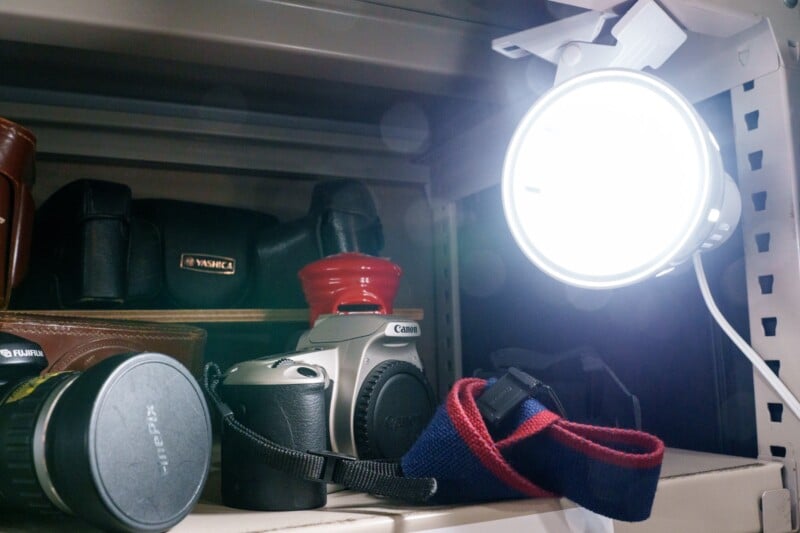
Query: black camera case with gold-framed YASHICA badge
point(208, 251)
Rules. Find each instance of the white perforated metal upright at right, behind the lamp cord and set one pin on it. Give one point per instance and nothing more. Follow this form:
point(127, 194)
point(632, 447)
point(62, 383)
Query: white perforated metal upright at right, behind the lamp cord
point(766, 135)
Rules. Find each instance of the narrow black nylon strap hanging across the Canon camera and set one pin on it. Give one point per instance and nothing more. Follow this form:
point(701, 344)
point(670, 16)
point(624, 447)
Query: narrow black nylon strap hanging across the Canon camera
point(381, 478)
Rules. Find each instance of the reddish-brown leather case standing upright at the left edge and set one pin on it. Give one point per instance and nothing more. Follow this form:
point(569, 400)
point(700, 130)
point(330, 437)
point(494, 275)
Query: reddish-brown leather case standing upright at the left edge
point(17, 154)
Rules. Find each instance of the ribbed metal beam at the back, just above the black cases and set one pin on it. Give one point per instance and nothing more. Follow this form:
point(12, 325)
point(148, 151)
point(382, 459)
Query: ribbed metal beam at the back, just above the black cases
point(139, 131)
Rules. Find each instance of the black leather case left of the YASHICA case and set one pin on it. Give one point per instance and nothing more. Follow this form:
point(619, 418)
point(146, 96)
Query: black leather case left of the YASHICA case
point(82, 254)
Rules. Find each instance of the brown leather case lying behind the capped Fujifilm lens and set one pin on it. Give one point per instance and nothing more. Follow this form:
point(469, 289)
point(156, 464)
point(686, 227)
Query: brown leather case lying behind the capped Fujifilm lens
point(78, 343)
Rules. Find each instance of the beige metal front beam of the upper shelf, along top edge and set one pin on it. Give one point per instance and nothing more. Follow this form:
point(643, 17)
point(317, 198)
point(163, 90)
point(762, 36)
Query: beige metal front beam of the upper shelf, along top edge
point(424, 47)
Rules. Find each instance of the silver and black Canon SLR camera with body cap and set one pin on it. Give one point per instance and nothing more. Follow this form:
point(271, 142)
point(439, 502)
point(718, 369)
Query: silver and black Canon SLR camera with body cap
point(354, 385)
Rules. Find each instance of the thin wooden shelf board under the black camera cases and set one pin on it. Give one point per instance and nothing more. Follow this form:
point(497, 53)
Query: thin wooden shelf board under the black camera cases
point(207, 316)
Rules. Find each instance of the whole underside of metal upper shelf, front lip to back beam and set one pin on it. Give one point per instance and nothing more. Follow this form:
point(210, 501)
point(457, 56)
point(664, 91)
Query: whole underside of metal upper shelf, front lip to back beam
point(329, 88)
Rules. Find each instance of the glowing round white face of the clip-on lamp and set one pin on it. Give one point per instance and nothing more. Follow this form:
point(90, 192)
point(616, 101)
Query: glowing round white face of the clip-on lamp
point(609, 177)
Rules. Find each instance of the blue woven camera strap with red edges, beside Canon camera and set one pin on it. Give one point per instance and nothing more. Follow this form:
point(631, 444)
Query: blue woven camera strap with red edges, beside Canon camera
point(534, 453)
